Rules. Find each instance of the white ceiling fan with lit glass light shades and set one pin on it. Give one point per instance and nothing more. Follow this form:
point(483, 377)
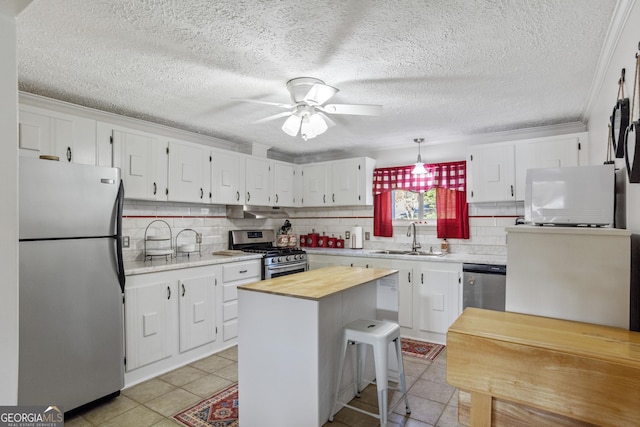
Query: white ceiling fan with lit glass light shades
point(308, 110)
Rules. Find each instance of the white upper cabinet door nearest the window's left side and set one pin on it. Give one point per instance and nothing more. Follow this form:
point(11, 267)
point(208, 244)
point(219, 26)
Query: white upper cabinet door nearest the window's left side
point(352, 181)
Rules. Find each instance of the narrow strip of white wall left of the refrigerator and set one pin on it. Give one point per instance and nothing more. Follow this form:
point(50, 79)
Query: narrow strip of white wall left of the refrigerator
point(8, 212)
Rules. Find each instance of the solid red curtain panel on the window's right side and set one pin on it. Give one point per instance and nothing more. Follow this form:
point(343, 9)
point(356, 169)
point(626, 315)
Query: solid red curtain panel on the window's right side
point(453, 215)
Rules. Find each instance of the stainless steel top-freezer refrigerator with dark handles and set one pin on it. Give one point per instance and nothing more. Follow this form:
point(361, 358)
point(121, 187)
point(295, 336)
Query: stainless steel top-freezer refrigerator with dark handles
point(71, 349)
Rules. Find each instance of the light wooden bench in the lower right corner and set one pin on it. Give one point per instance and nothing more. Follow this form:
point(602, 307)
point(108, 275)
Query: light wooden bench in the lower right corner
point(579, 371)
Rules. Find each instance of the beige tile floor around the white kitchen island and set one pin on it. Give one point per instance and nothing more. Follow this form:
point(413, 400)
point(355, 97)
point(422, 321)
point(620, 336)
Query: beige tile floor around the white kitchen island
point(152, 403)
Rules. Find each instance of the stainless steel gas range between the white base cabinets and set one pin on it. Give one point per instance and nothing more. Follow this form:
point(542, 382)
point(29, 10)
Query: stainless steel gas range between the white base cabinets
point(276, 261)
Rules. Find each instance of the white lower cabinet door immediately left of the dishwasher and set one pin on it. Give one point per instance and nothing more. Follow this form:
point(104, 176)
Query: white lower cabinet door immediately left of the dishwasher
point(436, 297)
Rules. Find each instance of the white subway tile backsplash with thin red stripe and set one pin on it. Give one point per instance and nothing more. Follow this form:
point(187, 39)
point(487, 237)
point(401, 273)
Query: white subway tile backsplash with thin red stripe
point(487, 226)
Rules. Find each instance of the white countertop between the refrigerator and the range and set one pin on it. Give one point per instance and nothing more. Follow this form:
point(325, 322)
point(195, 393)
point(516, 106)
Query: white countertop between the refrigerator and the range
point(194, 260)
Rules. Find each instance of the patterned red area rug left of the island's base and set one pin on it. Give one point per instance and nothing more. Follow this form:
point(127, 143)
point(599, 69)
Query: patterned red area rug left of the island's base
point(219, 410)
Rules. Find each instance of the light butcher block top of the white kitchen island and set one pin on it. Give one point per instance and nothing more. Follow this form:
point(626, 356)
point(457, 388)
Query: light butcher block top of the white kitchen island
point(320, 283)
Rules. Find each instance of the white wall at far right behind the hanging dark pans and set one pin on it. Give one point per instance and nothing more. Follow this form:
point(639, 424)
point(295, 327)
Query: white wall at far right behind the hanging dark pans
point(622, 56)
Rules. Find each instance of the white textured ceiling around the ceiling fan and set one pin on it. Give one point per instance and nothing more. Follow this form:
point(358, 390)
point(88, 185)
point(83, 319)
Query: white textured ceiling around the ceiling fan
point(442, 69)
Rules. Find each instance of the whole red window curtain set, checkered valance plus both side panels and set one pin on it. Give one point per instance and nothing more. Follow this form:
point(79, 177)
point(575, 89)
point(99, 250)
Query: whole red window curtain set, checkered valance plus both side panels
point(451, 200)
